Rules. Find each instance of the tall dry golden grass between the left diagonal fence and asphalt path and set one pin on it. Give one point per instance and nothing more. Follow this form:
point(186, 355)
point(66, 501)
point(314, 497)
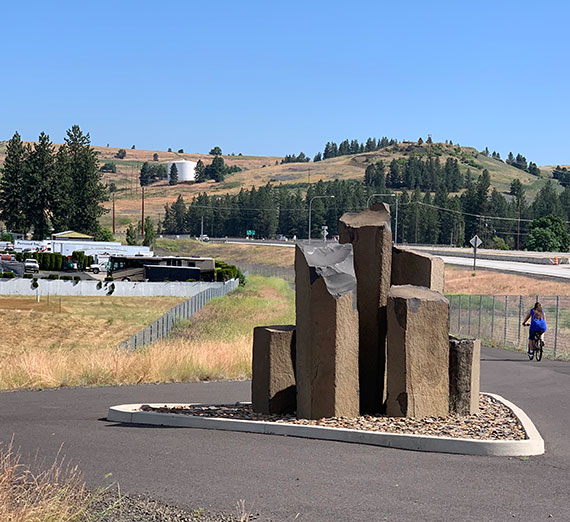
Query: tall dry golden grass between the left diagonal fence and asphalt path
point(215, 344)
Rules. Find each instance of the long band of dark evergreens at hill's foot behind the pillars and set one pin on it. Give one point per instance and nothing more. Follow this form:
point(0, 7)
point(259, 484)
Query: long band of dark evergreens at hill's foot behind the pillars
point(423, 217)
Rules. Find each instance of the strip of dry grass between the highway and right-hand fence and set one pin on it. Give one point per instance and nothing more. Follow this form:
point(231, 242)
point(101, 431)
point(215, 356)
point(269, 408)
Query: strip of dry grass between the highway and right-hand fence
point(462, 281)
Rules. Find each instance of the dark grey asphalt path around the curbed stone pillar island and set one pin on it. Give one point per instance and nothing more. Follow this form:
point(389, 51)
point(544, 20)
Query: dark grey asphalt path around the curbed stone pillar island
point(286, 479)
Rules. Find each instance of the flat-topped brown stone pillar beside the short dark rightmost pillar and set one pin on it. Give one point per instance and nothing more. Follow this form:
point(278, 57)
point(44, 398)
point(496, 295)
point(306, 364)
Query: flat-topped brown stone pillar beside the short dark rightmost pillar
point(417, 353)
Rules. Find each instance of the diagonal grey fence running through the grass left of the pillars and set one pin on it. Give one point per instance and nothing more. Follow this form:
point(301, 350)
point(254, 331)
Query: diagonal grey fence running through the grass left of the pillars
point(163, 325)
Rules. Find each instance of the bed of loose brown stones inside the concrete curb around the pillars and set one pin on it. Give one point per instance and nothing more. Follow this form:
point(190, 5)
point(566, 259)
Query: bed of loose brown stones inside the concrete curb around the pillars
point(494, 421)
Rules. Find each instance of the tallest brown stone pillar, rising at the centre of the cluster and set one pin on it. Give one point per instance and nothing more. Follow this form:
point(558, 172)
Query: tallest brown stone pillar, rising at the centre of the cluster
point(370, 234)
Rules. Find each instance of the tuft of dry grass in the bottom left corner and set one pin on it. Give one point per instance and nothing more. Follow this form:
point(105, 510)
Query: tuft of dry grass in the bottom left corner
point(55, 495)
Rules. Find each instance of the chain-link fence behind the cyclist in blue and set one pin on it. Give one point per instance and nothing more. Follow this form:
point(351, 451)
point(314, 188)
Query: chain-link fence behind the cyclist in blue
point(497, 319)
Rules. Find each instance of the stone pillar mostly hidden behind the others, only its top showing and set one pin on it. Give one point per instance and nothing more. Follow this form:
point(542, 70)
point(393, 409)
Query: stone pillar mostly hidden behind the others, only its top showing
point(415, 268)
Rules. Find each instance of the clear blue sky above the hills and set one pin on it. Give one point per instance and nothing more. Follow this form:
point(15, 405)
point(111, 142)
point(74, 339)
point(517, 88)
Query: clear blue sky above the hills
point(275, 78)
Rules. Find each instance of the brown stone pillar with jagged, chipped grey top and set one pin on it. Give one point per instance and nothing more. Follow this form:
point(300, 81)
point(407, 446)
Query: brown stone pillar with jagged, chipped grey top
point(327, 331)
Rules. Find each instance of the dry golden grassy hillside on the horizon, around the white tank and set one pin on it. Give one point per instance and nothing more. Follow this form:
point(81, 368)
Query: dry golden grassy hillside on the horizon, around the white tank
point(259, 170)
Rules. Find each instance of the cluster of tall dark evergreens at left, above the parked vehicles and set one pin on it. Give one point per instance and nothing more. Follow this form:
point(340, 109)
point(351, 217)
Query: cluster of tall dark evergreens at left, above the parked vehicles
point(44, 189)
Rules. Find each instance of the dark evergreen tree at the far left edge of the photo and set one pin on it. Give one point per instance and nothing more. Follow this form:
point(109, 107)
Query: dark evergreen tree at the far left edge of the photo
point(12, 211)
